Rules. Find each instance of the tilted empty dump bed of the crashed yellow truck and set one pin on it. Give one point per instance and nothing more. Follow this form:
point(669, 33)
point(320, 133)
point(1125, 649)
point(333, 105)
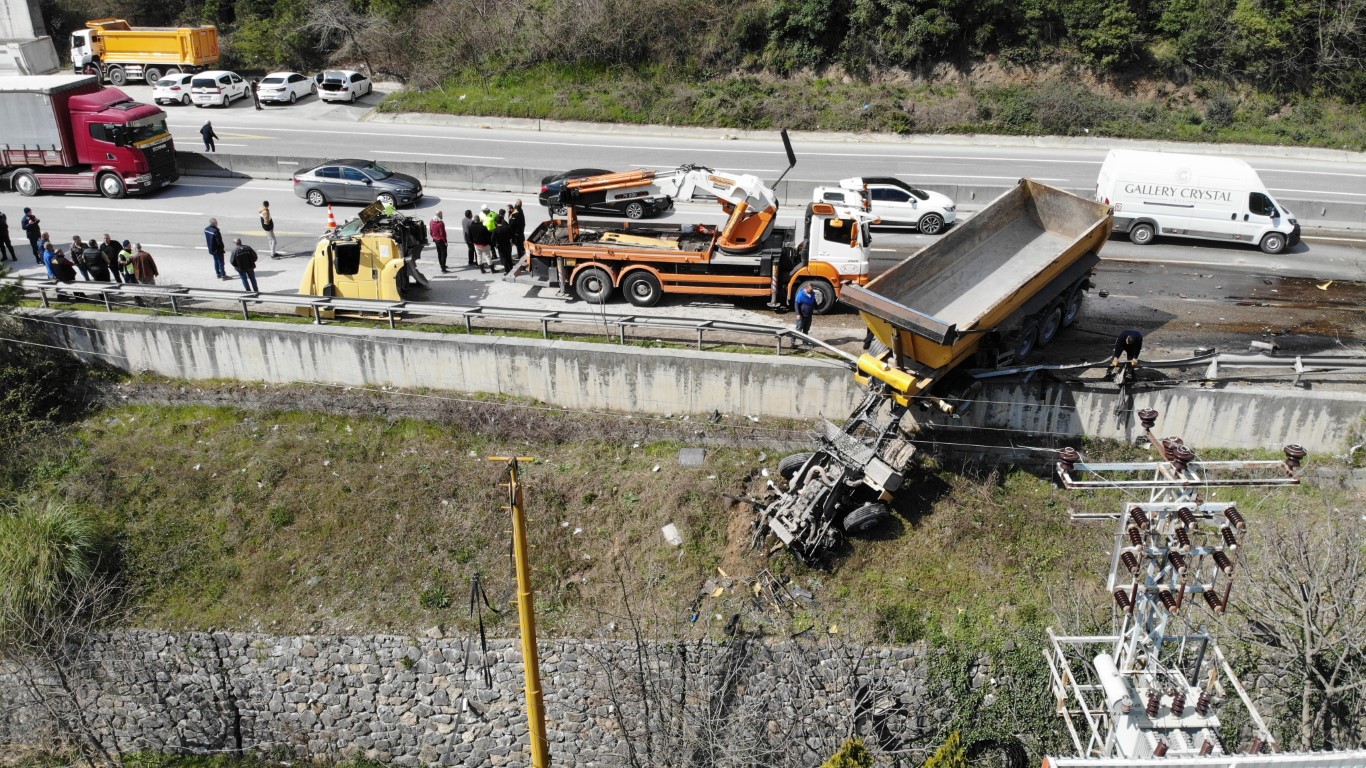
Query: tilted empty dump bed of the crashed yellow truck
point(984, 273)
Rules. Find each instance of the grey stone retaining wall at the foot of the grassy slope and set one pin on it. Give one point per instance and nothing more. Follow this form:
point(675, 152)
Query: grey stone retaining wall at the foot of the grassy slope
point(424, 702)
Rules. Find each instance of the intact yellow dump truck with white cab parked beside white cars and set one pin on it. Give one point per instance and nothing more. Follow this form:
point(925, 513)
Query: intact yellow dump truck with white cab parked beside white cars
point(120, 53)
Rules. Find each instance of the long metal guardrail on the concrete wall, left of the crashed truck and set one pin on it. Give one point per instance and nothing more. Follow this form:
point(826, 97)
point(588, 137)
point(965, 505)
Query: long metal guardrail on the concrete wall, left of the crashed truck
point(115, 296)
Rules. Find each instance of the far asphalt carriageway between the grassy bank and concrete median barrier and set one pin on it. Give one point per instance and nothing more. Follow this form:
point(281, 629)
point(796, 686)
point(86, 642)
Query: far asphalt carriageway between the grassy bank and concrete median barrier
point(312, 128)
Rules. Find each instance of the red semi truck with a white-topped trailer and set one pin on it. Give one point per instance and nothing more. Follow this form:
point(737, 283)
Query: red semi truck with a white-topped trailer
point(68, 133)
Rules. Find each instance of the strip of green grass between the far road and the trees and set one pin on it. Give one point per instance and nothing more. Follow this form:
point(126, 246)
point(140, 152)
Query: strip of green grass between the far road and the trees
point(1203, 113)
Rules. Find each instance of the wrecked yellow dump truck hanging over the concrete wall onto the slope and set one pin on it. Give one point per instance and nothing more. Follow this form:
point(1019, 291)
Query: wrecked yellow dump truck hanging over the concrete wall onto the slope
point(986, 294)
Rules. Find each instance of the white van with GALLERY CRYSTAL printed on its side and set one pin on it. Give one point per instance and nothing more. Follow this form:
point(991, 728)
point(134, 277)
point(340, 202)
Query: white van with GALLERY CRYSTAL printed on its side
point(1193, 196)
